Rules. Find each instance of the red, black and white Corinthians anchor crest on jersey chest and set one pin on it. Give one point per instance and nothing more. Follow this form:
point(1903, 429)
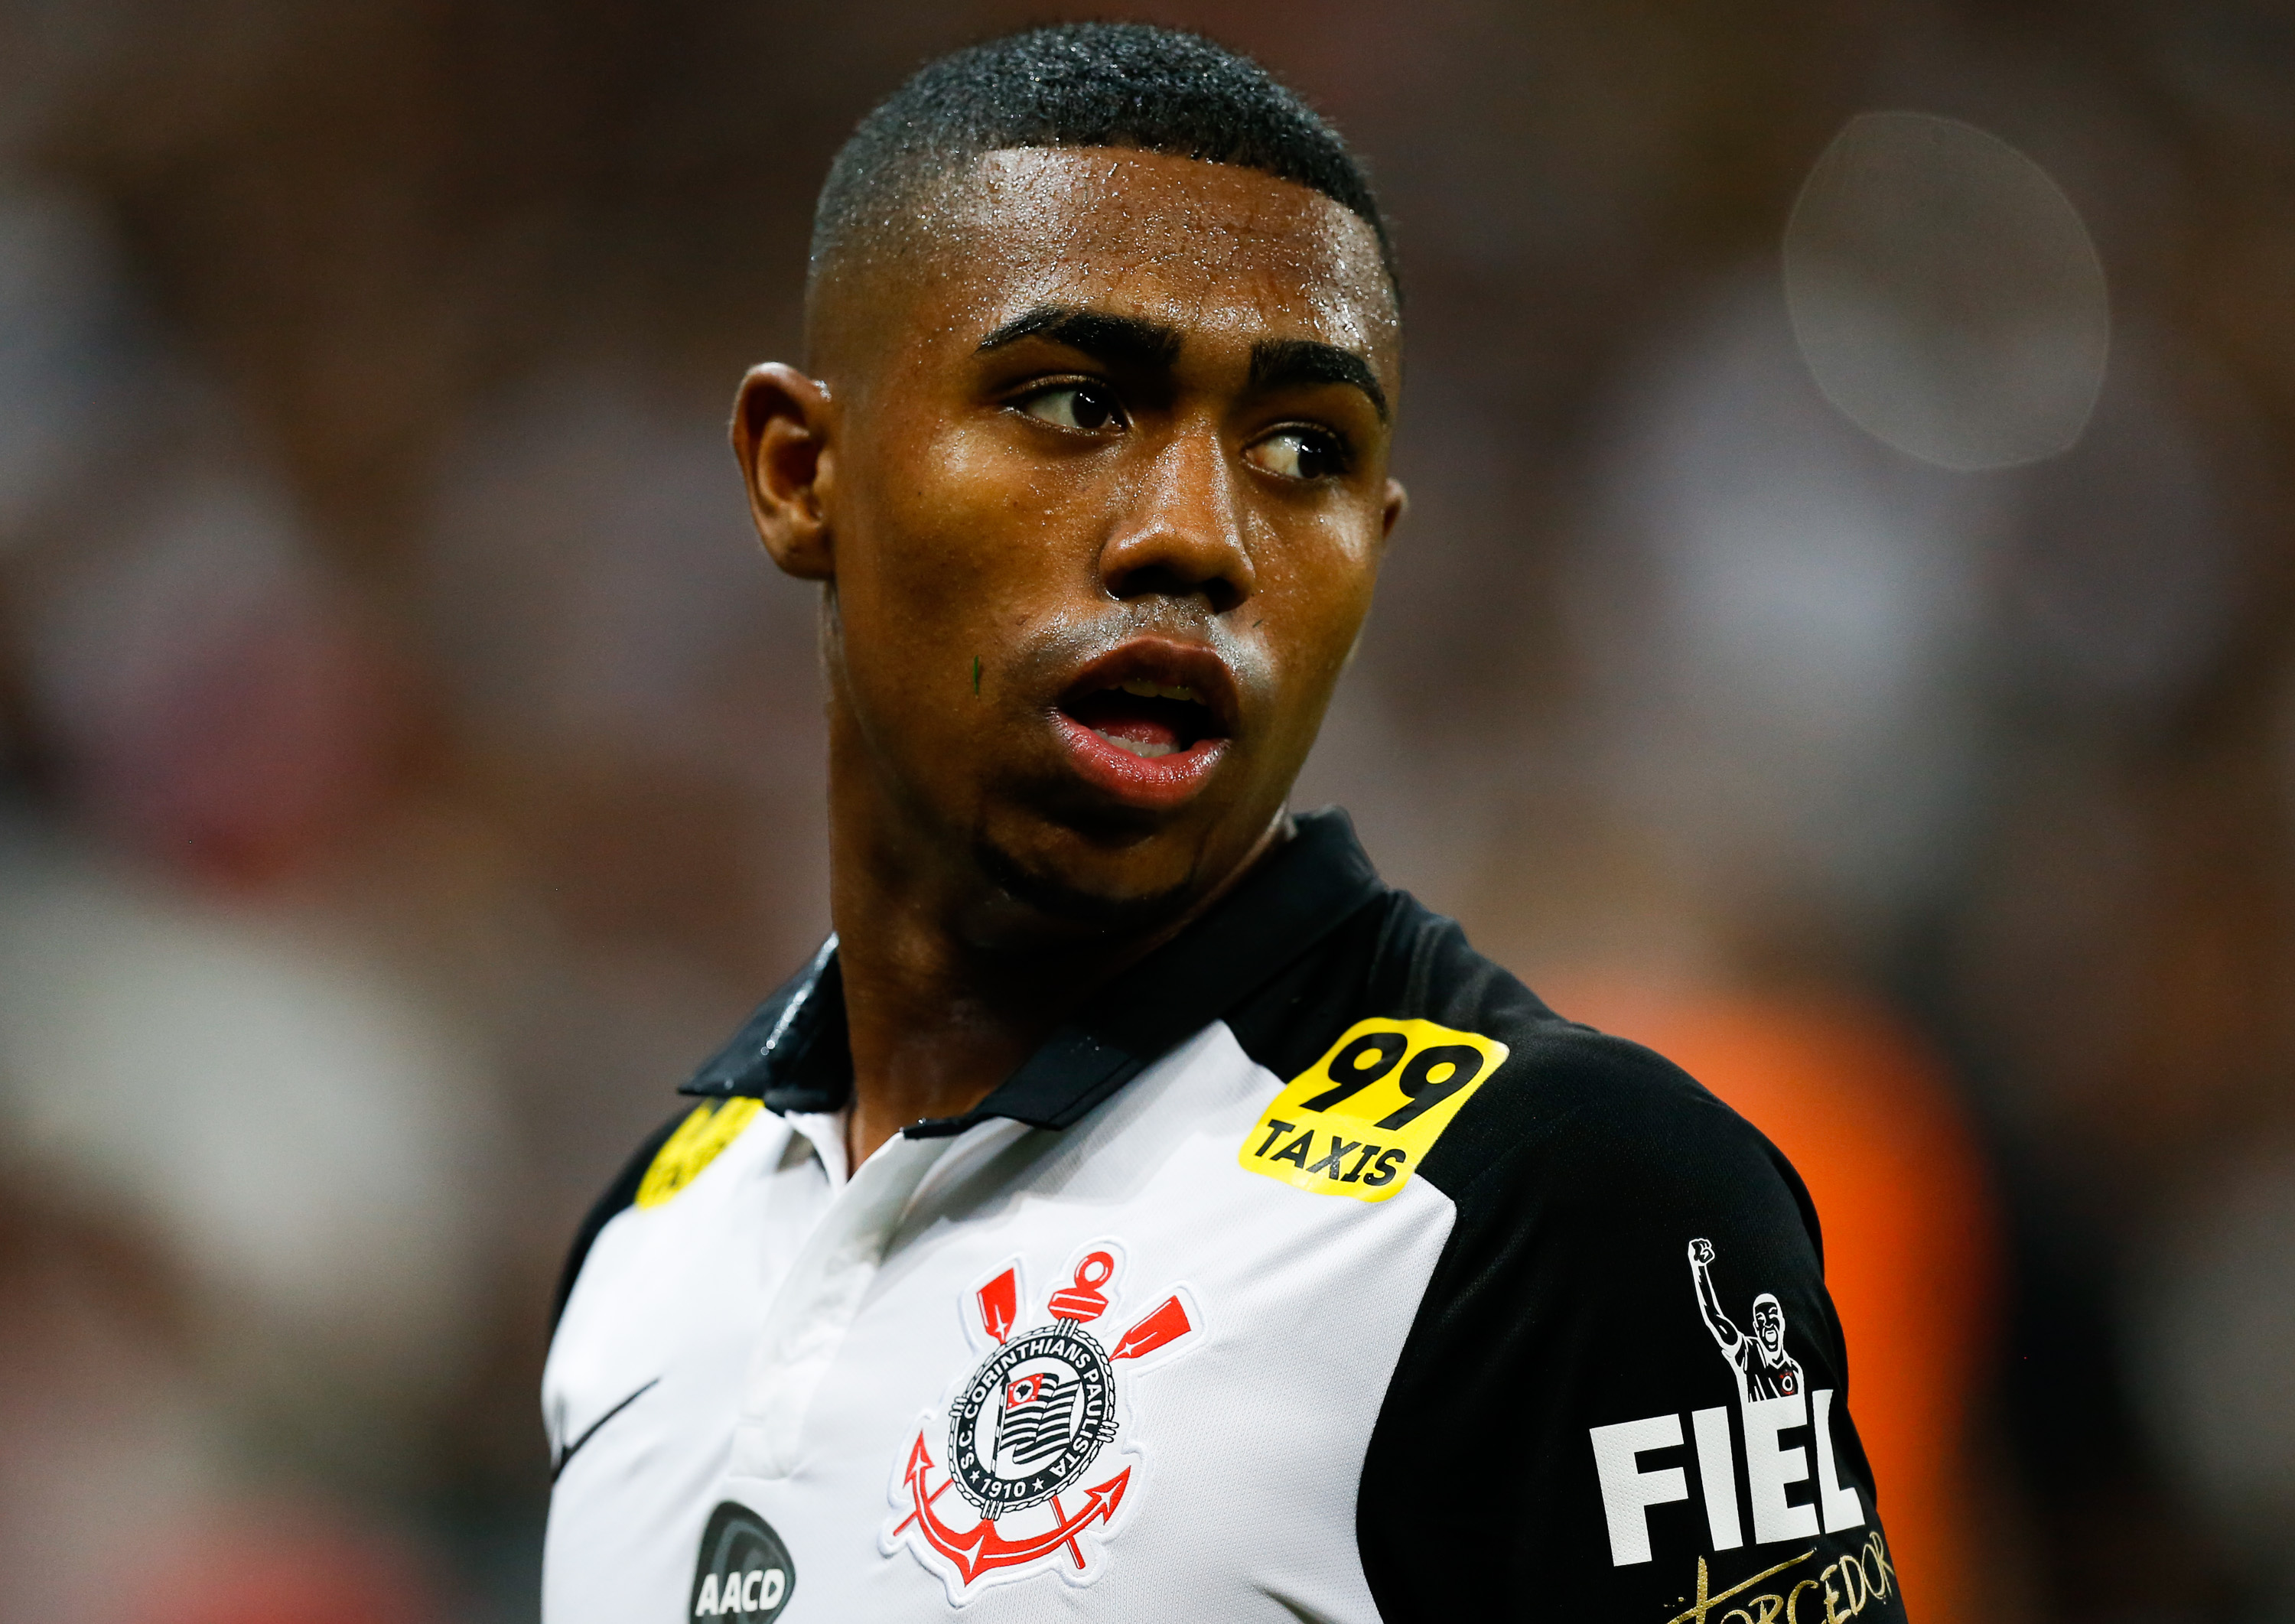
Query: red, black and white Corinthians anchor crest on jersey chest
point(1027, 1458)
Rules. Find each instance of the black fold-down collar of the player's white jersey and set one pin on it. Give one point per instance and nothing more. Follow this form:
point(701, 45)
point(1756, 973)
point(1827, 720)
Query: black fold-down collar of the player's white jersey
point(795, 1056)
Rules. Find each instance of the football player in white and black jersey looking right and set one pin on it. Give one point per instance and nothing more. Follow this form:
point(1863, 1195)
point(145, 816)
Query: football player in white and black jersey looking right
point(1137, 1210)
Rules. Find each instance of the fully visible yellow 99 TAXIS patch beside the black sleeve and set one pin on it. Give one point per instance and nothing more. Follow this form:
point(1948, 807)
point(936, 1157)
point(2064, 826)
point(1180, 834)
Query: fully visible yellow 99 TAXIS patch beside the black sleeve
point(1360, 1121)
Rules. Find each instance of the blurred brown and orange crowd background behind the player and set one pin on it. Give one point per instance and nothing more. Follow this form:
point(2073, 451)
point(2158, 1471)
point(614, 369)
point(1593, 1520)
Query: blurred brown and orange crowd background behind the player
point(1844, 637)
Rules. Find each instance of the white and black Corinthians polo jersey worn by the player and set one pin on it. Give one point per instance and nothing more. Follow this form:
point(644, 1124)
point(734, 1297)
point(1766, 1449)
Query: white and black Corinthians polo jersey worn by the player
point(1229, 1306)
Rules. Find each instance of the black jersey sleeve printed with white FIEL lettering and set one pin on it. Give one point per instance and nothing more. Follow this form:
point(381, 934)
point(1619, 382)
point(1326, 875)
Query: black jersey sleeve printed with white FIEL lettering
point(1573, 1428)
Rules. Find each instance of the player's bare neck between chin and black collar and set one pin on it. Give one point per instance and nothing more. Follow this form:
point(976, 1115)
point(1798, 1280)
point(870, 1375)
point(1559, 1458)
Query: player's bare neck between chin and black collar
point(935, 1017)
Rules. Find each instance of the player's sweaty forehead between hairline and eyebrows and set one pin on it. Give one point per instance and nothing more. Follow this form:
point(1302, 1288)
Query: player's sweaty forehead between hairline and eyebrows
point(1199, 247)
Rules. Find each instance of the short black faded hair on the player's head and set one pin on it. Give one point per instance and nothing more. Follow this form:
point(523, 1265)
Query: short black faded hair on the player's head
point(1087, 86)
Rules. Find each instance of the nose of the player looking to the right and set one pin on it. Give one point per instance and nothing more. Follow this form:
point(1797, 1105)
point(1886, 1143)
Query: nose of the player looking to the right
point(1183, 529)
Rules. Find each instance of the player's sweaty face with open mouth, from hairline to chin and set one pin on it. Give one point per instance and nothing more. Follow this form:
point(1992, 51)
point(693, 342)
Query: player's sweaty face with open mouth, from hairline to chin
point(1110, 497)
